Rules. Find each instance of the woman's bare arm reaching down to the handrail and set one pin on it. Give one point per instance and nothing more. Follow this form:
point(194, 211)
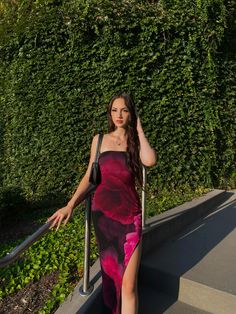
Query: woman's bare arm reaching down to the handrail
point(63, 214)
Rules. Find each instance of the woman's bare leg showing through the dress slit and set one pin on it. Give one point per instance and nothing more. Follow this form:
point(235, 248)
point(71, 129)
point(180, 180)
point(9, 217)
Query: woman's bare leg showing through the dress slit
point(129, 291)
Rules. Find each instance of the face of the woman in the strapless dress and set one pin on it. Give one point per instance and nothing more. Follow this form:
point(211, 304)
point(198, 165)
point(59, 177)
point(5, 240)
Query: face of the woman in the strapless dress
point(119, 113)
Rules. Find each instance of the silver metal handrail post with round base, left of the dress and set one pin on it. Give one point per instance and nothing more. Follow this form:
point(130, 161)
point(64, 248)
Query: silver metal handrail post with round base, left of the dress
point(87, 287)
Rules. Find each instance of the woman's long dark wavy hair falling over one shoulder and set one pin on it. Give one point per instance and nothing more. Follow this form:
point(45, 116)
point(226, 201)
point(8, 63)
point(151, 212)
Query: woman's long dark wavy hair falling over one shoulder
point(133, 143)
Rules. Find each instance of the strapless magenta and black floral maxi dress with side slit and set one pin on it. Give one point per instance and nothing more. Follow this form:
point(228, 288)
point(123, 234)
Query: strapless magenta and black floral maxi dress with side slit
point(117, 219)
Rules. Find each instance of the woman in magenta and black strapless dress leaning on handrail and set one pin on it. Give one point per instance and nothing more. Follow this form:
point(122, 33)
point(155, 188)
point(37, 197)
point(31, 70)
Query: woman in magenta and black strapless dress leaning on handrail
point(116, 209)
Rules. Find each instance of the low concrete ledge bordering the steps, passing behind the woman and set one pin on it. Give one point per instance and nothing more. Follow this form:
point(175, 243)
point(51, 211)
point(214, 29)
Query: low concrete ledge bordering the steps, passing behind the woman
point(158, 229)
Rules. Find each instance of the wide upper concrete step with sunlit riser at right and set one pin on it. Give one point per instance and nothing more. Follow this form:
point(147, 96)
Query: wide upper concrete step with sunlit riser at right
point(198, 267)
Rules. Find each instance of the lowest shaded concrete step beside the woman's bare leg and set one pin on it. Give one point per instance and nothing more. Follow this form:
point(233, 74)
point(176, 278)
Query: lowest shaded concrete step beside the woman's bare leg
point(153, 302)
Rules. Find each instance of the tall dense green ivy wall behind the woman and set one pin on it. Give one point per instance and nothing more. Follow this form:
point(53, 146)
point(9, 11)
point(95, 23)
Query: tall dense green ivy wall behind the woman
point(61, 61)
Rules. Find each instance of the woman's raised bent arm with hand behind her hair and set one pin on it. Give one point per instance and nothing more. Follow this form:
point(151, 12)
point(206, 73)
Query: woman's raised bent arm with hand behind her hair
point(147, 153)
